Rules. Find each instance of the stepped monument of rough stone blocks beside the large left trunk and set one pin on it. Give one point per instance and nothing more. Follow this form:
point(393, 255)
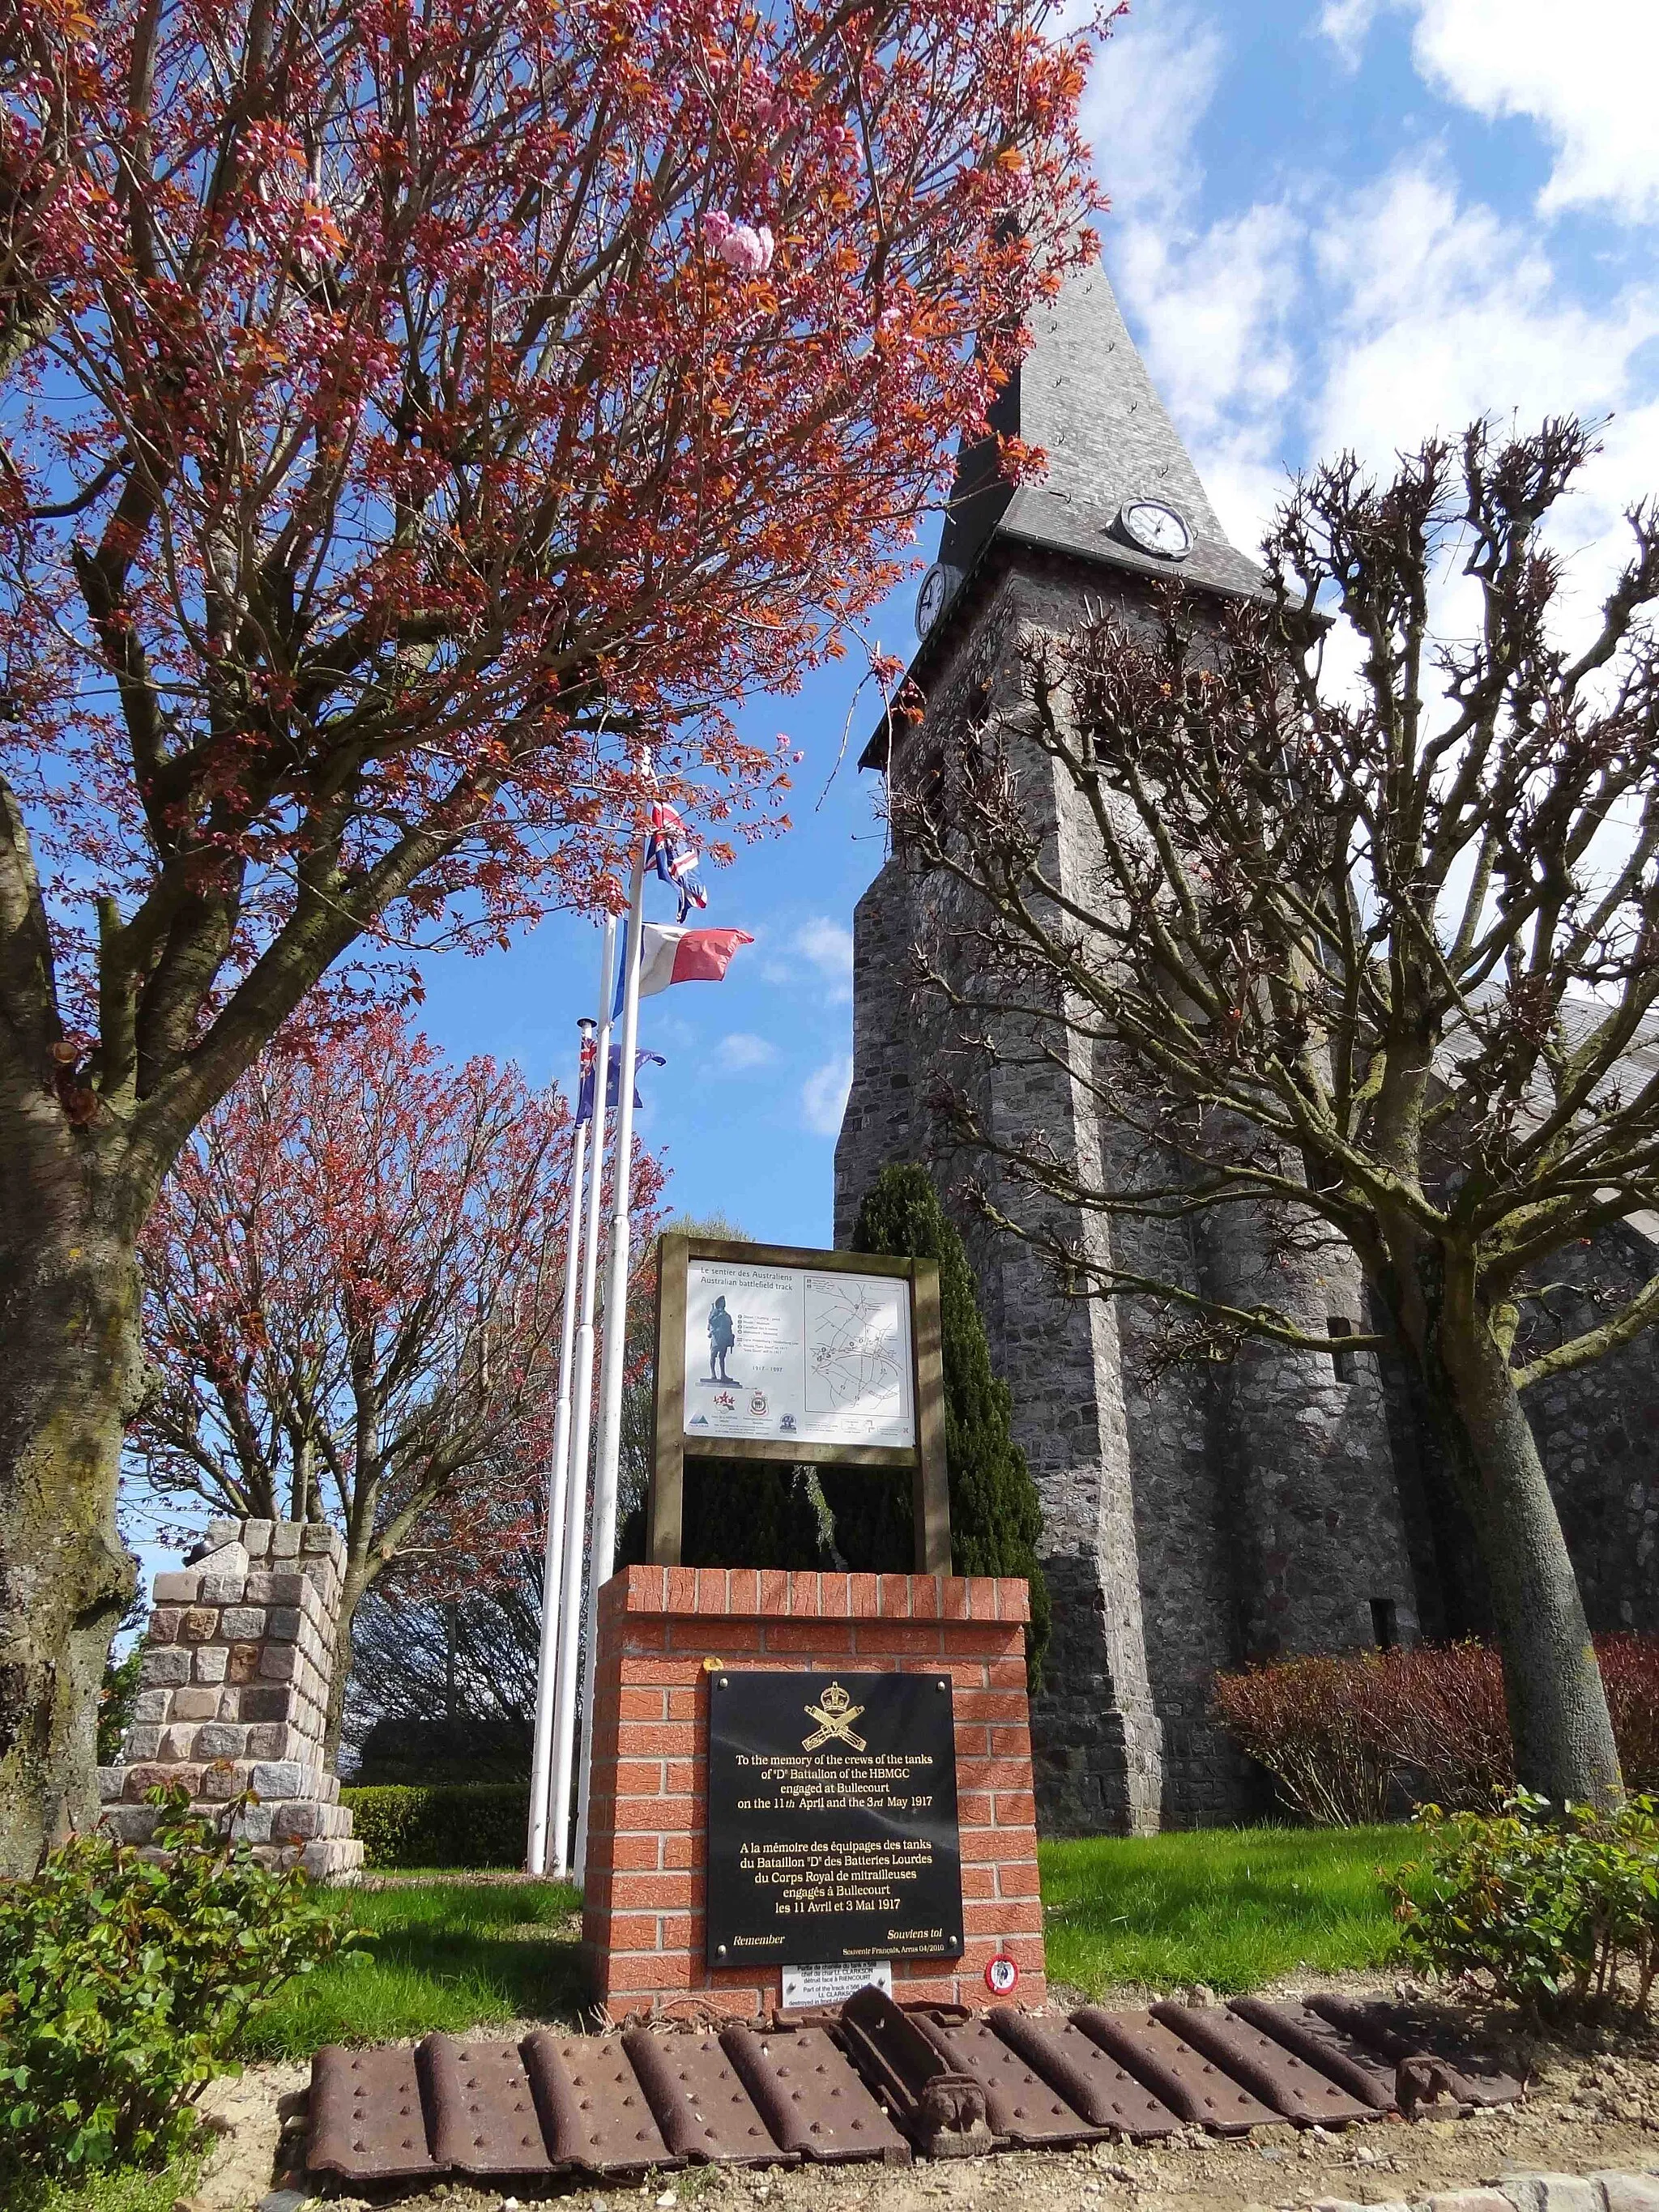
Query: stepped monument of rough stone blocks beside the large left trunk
point(233, 1698)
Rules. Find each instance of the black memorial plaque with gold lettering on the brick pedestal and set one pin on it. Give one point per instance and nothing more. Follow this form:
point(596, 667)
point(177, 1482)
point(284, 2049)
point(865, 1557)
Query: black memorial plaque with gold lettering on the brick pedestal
point(833, 1819)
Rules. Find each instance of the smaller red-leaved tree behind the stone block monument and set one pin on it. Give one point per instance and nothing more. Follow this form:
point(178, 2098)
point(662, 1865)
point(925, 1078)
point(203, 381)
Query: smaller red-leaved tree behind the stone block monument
point(353, 1295)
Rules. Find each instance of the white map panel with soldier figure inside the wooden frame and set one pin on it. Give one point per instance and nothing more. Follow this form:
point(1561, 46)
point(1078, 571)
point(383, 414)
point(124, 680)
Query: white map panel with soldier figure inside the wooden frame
point(797, 1355)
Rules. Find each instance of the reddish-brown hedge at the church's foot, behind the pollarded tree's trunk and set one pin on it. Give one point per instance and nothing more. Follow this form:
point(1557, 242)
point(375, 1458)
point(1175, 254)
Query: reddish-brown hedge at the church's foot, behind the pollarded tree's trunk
point(1353, 1735)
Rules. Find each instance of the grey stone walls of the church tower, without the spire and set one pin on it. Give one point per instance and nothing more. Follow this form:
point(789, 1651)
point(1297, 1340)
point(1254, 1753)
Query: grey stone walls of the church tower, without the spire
point(1189, 1525)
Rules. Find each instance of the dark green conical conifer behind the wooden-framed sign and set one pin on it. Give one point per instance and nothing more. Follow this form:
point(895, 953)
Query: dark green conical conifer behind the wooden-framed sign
point(997, 1514)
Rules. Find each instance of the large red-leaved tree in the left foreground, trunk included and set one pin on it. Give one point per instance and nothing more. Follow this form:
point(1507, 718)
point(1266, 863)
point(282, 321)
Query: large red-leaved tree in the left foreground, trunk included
point(410, 415)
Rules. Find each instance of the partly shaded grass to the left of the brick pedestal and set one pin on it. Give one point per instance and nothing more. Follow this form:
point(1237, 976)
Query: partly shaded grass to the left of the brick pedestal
point(444, 1957)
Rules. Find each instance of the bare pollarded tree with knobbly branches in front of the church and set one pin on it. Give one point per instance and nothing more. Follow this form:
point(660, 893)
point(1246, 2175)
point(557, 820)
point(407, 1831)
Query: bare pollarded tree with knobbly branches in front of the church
point(1373, 963)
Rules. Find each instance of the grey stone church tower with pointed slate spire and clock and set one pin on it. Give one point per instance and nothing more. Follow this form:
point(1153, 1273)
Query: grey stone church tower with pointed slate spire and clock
point(1224, 1514)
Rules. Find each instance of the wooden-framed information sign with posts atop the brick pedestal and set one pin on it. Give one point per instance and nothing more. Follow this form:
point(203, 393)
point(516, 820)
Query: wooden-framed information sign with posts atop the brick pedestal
point(778, 1353)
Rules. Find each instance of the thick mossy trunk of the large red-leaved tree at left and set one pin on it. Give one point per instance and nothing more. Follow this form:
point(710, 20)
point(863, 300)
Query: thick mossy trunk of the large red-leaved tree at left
point(72, 1370)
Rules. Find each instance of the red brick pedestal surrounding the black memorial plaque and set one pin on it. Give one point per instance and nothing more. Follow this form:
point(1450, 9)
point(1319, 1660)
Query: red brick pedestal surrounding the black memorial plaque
point(662, 1629)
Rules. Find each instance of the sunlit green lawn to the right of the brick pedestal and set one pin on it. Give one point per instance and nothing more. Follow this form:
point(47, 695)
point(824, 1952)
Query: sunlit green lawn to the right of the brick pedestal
point(1231, 1908)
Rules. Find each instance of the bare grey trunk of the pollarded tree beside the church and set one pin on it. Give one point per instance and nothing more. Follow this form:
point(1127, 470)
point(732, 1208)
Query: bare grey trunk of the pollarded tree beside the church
point(1558, 1709)
